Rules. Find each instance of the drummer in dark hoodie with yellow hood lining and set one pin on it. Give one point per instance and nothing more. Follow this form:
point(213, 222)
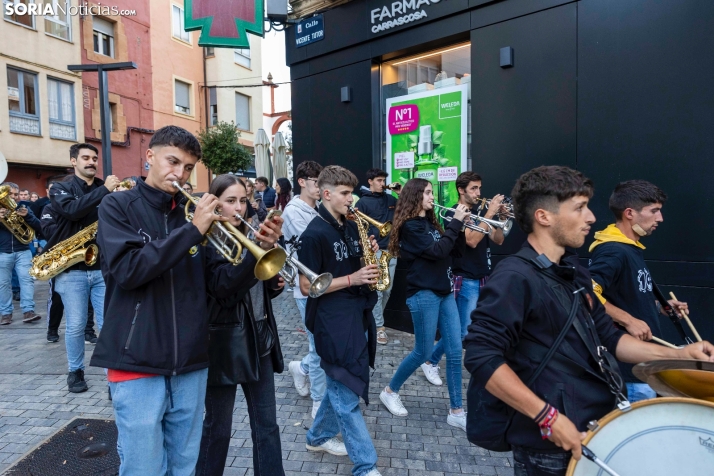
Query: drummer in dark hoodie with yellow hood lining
point(620, 275)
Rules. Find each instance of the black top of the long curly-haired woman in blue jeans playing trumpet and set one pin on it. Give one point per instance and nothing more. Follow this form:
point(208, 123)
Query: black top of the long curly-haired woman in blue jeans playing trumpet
point(427, 253)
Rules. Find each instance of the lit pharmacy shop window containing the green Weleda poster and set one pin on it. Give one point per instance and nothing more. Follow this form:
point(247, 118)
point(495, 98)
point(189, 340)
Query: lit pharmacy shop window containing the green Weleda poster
point(433, 144)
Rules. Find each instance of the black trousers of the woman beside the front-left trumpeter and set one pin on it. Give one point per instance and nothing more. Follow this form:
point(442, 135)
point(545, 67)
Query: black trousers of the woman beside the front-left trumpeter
point(264, 430)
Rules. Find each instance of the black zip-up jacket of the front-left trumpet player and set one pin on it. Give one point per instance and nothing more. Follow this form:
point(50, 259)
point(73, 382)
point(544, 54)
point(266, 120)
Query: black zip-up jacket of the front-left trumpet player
point(156, 318)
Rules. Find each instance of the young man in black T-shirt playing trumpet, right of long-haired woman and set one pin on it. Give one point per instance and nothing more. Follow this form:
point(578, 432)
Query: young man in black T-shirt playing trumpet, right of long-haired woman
point(472, 268)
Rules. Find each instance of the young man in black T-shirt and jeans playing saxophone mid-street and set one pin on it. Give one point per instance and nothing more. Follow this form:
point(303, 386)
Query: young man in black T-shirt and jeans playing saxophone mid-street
point(341, 322)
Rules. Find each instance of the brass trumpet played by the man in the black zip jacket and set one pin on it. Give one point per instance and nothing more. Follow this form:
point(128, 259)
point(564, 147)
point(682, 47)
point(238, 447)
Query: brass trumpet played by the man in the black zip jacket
point(230, 243)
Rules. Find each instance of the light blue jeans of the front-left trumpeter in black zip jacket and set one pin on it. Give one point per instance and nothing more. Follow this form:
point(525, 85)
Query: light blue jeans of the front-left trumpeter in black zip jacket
point(159, 432)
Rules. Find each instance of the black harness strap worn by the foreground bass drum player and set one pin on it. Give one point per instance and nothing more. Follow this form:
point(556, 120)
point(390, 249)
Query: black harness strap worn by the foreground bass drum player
point(567, 359)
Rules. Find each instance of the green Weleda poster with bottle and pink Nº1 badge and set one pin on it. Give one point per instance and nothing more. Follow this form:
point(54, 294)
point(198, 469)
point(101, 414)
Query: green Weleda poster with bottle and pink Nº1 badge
point(427, 138)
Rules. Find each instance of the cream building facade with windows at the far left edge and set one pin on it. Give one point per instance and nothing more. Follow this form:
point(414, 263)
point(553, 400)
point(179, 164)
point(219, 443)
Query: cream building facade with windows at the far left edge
point(41, 114)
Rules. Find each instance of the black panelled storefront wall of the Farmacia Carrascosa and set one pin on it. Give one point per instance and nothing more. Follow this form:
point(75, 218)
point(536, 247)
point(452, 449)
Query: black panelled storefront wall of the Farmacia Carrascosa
point(618, 90)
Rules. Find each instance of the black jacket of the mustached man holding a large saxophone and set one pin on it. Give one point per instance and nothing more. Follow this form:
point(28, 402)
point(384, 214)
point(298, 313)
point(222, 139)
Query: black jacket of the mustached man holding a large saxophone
point(76, 206)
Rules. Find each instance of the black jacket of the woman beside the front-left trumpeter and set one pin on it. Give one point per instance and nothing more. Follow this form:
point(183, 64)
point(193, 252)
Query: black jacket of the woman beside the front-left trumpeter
point(233, 344)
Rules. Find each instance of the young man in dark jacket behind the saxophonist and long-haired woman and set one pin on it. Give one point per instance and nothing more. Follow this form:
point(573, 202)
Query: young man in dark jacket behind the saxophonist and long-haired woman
point(379, 204)
